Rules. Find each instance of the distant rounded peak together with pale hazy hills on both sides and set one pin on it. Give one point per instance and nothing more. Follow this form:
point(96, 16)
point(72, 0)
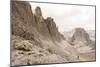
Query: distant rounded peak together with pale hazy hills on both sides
point(80, 35)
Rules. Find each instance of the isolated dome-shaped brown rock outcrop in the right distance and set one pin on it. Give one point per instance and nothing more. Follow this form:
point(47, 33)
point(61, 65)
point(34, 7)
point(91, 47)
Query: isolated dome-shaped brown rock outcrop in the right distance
point(80, 35)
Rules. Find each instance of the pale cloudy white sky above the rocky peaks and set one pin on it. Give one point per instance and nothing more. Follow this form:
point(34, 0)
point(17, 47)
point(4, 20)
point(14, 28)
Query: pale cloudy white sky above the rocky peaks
point(68, 17)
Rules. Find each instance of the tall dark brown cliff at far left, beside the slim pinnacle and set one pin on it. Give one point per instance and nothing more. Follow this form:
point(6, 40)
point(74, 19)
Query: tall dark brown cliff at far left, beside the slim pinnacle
point(22, 19)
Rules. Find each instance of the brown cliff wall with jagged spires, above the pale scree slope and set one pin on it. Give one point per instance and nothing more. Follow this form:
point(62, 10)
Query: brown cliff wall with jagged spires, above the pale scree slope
point(24, 22)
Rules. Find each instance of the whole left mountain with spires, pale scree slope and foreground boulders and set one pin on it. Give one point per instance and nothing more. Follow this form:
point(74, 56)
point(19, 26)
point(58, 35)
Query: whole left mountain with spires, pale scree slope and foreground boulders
point(36, 40)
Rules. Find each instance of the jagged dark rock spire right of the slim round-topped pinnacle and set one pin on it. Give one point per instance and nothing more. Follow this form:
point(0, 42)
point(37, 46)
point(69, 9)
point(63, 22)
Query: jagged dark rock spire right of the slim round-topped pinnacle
point(53, 30)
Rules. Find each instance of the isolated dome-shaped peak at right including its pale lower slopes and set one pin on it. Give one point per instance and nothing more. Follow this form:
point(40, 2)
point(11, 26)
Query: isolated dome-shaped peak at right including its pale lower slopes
point(82, 38)
